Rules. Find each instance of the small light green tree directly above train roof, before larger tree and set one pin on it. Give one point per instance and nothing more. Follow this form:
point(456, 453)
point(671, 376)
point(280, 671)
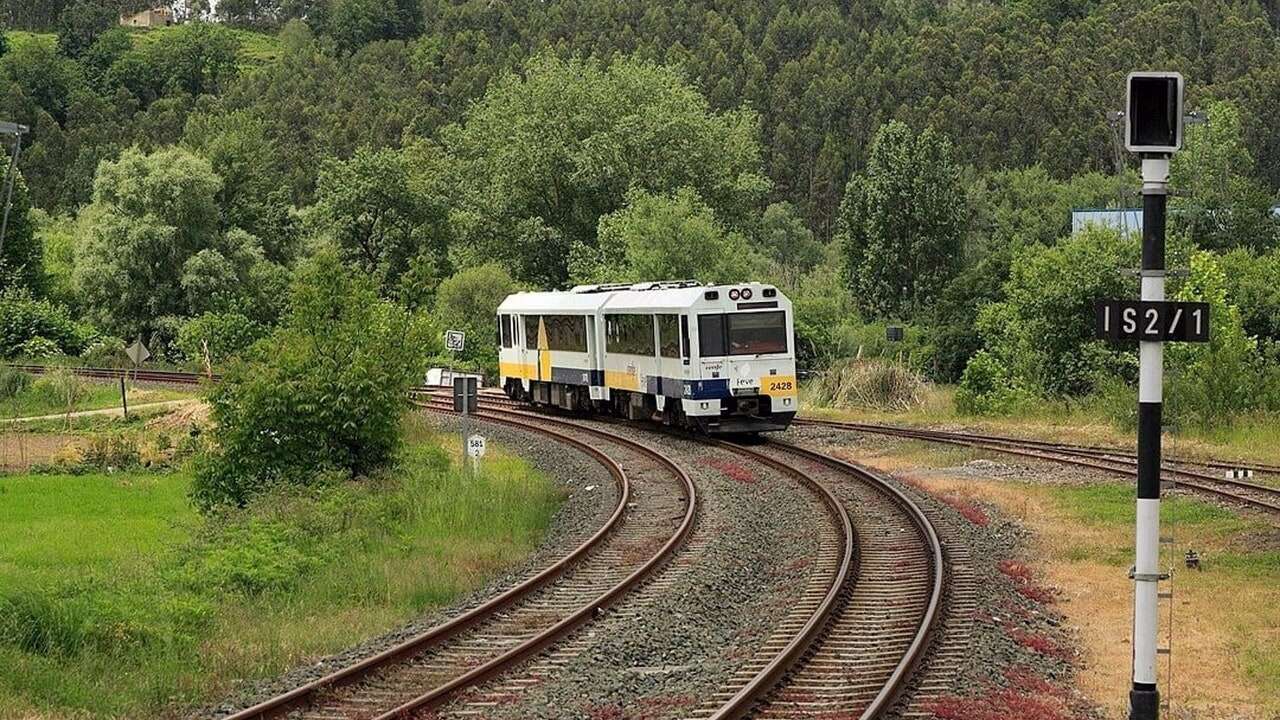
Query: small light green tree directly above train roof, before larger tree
point(664, 238)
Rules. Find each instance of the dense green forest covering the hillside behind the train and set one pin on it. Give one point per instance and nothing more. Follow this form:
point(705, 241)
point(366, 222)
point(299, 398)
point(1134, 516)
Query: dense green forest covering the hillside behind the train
point(892, 162)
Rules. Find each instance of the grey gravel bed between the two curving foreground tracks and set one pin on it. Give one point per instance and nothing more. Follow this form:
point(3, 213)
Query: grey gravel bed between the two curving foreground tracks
point(674, 644)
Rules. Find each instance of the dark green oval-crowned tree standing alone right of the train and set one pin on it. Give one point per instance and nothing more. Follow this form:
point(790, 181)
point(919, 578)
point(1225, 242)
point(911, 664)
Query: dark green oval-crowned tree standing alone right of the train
point(902, 224)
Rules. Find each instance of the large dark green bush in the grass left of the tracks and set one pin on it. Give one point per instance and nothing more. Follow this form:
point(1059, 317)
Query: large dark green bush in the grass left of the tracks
point(323, 393)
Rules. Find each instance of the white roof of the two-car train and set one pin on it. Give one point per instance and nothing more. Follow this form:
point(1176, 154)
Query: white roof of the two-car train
point(641, 297)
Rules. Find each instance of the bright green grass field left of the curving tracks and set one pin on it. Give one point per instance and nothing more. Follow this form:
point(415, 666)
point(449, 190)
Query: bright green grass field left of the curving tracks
point(118, 601)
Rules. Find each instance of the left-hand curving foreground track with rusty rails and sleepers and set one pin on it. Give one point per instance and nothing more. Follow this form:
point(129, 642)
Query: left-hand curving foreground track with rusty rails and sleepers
point(656, 509)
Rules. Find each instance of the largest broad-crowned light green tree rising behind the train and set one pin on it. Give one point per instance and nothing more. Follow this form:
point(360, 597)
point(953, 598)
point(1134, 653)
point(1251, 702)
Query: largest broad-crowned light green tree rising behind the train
point(545, 156)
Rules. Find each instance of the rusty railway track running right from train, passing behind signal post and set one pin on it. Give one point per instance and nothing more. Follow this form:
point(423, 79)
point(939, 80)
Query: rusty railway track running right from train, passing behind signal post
point(1109, 461)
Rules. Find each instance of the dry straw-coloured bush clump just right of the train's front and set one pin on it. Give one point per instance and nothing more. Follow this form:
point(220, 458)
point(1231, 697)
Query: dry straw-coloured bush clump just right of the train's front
point(870, 384)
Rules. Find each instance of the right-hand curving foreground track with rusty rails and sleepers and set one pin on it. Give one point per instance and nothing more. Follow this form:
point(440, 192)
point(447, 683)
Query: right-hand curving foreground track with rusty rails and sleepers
point(854, 651)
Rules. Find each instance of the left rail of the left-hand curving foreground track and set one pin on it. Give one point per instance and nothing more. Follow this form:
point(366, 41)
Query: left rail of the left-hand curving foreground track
point(452, 628)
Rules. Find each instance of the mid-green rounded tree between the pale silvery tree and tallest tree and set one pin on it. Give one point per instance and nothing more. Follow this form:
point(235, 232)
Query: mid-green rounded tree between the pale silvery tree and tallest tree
point(373, 211)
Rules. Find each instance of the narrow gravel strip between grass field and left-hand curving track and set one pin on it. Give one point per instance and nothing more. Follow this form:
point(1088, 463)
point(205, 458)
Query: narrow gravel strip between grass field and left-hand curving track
point(582, 514)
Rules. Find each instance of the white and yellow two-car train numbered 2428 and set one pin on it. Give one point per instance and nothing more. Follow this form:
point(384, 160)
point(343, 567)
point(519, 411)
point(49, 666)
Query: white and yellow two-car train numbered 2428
point(719, 359)
